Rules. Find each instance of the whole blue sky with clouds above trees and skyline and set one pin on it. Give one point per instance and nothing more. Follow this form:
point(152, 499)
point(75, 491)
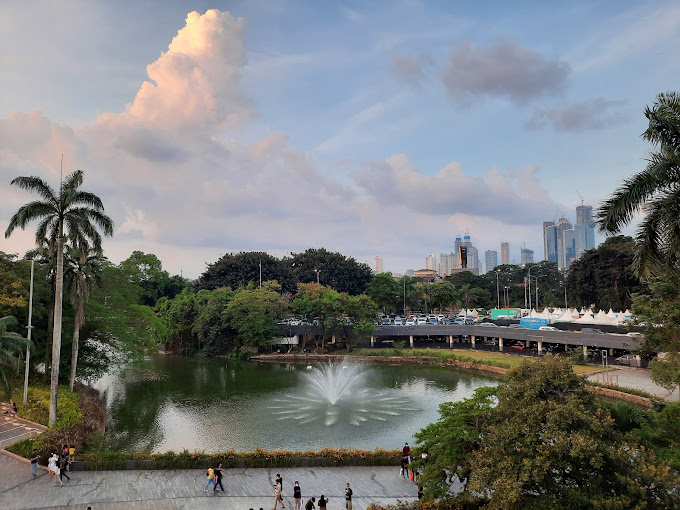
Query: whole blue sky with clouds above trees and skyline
point(369, 128)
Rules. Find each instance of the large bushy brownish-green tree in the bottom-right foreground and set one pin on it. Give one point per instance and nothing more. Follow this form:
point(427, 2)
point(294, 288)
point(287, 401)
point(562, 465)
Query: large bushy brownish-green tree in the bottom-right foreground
point(547, 444)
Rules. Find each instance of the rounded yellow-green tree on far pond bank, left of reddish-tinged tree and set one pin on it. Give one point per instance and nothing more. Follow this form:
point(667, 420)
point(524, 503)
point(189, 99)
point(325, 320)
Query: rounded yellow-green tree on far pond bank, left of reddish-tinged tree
point(253, 312)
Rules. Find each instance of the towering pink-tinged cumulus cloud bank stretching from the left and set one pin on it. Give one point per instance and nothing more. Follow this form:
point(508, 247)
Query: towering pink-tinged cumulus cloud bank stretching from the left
point(177, 180)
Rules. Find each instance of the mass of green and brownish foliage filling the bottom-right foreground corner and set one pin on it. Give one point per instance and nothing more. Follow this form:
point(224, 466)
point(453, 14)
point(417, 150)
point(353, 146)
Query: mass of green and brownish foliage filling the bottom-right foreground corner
point(546, 443)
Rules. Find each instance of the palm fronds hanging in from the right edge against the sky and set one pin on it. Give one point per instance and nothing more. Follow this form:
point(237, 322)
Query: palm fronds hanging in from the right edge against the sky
point(655, 190)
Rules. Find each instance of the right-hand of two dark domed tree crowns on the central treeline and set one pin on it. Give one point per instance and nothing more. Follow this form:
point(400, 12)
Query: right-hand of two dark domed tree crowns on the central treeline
point(332, 269)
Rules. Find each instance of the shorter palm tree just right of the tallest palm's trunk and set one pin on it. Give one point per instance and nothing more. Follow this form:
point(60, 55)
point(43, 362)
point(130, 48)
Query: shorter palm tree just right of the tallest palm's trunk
point(83, 269)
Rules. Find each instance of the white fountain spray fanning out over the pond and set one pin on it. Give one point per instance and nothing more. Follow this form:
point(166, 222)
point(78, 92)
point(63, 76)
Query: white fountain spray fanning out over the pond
point(334, 392)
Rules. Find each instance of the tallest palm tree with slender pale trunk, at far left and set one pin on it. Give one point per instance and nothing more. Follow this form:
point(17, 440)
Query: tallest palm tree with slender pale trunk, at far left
point(71, 213)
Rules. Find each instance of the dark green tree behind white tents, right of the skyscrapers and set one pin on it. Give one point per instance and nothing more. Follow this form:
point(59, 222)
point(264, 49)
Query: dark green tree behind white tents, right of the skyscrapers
point(604, 276)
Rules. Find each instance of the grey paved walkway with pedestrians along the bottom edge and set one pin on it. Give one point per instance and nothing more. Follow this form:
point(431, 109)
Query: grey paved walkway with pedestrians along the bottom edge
point(183, 489)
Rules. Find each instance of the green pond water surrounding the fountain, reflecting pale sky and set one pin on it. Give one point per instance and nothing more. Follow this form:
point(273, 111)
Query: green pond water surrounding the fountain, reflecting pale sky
point(172, 403)
